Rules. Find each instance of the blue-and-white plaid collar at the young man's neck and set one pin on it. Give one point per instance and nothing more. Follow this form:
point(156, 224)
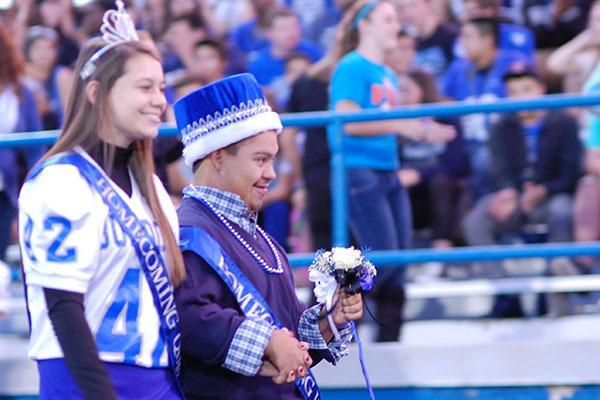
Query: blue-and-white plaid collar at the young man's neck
point(230, 205)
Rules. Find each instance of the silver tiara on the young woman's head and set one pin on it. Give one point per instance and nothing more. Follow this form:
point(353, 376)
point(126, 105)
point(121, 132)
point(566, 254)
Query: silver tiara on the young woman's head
point(117, 27)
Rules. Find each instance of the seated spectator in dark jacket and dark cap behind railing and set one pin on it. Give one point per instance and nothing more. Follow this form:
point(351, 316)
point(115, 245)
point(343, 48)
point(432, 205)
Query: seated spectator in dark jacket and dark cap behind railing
point(535, 165)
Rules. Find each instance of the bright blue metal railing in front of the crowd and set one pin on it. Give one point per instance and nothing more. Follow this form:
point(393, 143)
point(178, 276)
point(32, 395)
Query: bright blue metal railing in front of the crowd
point(335, 121)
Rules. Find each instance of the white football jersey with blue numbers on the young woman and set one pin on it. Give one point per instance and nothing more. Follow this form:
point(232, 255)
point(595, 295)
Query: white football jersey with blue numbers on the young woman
point(70, 241)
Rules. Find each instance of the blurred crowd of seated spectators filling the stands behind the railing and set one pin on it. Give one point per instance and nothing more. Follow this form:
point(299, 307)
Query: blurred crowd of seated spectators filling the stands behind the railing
point(500, 175)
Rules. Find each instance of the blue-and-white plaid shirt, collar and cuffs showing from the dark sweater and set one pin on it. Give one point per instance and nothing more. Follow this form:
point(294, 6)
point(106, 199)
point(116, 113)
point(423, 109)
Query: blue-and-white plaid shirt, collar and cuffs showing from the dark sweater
point(249, 342)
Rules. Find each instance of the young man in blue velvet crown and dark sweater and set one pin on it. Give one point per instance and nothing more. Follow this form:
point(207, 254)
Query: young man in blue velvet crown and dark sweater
point(239, 313)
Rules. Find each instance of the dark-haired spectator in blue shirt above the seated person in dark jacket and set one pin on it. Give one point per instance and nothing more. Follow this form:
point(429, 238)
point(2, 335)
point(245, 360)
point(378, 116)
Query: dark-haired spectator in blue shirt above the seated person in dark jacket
point(478, 78)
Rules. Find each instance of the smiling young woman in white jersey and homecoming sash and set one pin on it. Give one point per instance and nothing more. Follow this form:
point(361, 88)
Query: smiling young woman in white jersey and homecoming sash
point(98, 236)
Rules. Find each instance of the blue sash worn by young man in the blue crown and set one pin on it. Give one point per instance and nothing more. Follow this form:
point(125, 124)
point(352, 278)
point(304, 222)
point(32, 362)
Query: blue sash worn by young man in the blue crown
point(251, 302)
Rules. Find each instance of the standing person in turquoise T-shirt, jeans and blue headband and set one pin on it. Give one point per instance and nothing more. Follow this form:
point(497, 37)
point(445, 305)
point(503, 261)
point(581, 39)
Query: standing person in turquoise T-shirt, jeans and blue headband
point(379, 206)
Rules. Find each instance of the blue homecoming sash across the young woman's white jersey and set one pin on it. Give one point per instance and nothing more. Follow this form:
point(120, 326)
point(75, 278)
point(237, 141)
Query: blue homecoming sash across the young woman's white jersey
point(148, 252)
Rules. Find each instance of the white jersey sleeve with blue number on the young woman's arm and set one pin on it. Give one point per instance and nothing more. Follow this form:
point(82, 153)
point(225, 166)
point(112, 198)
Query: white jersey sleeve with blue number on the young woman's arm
point(60, 236)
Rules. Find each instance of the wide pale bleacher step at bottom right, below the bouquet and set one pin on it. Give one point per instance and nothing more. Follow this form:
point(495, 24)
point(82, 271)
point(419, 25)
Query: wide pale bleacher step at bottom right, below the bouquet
point(540, 352)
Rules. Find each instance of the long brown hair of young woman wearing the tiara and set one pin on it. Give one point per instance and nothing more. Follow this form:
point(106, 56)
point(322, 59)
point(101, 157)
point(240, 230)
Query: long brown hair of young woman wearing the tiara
point(84, 121)
